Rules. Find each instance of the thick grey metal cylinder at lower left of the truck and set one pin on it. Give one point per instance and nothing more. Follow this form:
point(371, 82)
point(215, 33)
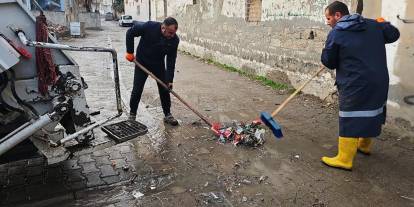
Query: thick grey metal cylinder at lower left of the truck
point(23, 134)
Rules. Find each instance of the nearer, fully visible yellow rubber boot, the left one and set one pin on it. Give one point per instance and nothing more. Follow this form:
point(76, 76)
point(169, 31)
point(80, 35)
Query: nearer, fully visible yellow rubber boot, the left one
point(347, 147)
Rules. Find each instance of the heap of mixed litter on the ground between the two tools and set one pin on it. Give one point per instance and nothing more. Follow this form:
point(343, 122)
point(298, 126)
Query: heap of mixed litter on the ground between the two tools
point(251, 134)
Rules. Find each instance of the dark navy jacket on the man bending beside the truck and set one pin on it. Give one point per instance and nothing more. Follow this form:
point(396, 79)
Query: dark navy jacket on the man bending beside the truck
point(153, 47)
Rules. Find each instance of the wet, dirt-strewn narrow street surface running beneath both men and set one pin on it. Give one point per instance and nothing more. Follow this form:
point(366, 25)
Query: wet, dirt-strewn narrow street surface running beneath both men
point(185, 166)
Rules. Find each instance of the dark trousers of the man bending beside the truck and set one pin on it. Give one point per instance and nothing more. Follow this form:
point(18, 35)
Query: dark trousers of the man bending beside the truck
point(139, 81)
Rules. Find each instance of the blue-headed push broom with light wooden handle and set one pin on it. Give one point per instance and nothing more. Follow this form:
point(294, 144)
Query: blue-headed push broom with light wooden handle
point(268, 119)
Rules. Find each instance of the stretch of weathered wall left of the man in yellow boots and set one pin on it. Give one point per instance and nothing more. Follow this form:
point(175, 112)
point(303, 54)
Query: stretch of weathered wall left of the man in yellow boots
point(277, 47)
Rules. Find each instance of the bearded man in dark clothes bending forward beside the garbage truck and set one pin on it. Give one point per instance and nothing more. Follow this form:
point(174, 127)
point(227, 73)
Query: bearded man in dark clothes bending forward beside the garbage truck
point(158, 40)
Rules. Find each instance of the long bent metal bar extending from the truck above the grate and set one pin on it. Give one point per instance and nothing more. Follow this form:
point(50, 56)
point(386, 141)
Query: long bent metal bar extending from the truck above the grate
point(113, 52)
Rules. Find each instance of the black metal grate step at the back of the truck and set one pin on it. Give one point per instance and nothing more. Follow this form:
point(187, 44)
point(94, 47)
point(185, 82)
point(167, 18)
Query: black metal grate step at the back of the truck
point(125, 130)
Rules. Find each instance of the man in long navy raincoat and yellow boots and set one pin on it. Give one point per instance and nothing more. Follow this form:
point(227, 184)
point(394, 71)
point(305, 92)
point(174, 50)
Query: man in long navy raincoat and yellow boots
point(355, 47)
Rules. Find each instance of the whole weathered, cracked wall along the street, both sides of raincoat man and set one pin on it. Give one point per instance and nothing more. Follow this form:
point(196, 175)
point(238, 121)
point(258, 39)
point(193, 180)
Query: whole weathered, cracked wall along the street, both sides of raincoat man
point(283, 39)
